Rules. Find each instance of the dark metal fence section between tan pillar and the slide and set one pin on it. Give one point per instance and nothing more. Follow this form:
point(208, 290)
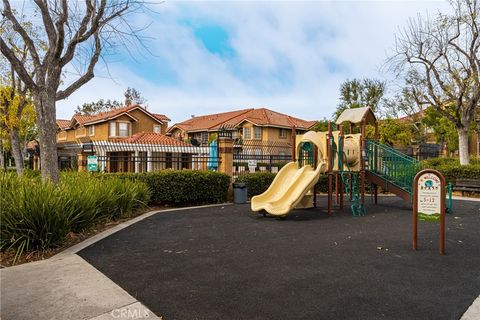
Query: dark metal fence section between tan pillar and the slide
point(258, 155)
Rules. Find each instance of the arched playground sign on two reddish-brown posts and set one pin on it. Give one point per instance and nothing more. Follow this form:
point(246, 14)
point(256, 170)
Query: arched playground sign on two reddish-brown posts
point(429, 202)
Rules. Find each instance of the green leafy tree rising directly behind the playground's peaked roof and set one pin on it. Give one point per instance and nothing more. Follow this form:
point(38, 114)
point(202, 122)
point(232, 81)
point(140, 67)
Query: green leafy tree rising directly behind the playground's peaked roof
point(358, 93)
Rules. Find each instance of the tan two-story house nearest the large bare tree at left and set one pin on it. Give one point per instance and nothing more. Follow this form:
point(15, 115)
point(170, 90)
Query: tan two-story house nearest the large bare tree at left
point(128, 139)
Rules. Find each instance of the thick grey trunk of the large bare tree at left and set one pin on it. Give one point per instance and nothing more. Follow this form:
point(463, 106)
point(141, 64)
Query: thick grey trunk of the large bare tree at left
point(46, 114)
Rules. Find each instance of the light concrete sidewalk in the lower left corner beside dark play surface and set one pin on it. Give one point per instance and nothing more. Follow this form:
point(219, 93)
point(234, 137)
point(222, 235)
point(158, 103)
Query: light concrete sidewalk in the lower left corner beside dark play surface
point(64, 288)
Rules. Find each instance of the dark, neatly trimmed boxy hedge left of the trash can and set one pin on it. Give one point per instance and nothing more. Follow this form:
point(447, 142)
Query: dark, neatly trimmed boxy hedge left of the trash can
point(183, 187)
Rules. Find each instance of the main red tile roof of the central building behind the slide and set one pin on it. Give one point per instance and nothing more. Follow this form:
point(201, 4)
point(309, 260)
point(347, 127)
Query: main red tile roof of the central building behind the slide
point(260, 117)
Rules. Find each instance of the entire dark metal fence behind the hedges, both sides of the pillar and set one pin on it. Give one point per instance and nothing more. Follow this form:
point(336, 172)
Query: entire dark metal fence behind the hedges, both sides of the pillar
point(247, 156)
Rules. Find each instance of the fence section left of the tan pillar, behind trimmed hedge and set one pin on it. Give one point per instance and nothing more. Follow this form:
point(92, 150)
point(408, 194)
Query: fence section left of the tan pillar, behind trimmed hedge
point(145, 157)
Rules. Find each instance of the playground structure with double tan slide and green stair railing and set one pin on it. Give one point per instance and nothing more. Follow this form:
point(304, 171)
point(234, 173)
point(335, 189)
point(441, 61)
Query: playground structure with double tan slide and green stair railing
point(351, 161)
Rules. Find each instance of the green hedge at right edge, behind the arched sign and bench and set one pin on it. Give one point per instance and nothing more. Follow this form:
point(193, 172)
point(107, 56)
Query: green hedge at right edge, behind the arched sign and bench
point(452, 170)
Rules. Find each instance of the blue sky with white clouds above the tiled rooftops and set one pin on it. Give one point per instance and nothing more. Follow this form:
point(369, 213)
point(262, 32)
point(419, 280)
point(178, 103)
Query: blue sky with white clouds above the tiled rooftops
point(206, 57)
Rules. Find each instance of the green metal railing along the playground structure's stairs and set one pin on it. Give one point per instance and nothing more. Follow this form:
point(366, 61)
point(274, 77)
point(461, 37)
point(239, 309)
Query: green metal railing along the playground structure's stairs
point(392, 165)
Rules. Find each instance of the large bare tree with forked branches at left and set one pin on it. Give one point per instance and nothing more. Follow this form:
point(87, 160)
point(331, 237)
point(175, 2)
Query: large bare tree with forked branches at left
point(74, 32)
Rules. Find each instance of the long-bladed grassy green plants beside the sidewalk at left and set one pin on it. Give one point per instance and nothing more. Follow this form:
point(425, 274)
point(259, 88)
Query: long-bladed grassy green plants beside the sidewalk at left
point(37, 214)
